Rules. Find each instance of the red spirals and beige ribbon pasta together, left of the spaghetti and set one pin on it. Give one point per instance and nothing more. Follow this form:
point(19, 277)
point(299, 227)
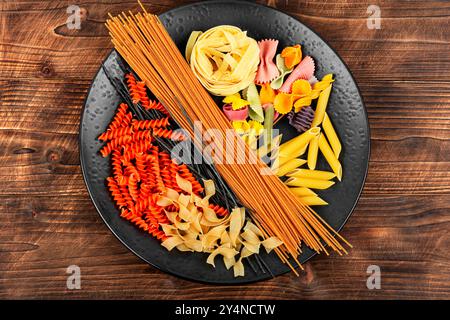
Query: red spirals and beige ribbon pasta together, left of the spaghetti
point(164, 198)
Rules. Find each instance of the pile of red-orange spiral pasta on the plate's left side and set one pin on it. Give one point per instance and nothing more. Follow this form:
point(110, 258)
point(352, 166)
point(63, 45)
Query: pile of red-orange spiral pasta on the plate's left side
point(140, 171)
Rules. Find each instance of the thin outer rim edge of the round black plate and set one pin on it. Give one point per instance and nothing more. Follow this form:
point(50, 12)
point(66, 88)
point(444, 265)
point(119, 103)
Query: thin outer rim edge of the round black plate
point(83, 164)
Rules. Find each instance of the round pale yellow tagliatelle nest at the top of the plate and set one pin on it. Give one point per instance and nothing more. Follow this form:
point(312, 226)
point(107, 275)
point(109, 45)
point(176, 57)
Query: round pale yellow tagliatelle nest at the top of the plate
point(224, 59)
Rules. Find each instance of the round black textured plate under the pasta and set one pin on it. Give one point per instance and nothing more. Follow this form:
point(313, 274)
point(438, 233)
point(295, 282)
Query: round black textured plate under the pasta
point(346, 110)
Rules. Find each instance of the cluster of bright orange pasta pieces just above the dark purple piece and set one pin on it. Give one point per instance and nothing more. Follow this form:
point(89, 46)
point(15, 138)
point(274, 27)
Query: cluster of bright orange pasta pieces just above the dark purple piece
point(284, 102)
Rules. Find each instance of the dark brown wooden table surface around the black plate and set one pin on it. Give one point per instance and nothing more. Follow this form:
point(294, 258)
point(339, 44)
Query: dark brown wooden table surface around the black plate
point(47, 221)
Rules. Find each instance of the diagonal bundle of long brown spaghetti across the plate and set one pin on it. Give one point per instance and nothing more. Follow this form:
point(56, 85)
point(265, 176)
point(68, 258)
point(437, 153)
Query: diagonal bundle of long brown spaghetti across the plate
point(144, 43)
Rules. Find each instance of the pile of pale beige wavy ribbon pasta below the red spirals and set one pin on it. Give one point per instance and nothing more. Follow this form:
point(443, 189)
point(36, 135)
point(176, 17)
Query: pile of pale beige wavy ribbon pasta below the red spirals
point(196, 228)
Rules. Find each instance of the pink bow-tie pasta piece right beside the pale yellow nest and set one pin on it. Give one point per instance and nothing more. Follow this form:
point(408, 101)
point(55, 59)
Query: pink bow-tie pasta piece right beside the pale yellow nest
point(267, 70)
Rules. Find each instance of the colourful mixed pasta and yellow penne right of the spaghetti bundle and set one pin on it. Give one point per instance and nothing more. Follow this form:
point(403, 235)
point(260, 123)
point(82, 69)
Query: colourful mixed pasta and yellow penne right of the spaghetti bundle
point(286, 83)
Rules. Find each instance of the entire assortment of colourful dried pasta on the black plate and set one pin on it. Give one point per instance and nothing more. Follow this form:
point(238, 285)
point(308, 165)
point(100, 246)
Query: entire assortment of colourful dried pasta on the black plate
point(218, 208)
